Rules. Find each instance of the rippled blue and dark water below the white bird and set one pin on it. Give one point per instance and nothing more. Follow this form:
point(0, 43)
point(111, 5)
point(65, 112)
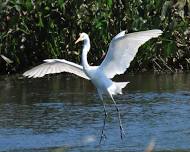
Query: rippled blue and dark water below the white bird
point(64, 114)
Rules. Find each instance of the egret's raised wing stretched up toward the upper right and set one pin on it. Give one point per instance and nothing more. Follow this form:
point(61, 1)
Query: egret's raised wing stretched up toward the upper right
point(123, 49)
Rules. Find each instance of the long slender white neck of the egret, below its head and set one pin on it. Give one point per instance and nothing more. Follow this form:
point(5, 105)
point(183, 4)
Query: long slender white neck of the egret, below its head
point(86, 48)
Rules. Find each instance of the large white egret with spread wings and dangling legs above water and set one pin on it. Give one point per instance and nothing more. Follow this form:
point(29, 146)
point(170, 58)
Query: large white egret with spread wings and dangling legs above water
point(121, 52)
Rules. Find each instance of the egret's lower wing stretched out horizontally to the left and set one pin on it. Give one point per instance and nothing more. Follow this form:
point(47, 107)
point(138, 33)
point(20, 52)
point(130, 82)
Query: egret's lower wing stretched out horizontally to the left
point(55, 66)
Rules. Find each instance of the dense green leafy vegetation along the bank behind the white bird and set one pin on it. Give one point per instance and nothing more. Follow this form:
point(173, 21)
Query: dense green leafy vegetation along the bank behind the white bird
point(31, 31)
